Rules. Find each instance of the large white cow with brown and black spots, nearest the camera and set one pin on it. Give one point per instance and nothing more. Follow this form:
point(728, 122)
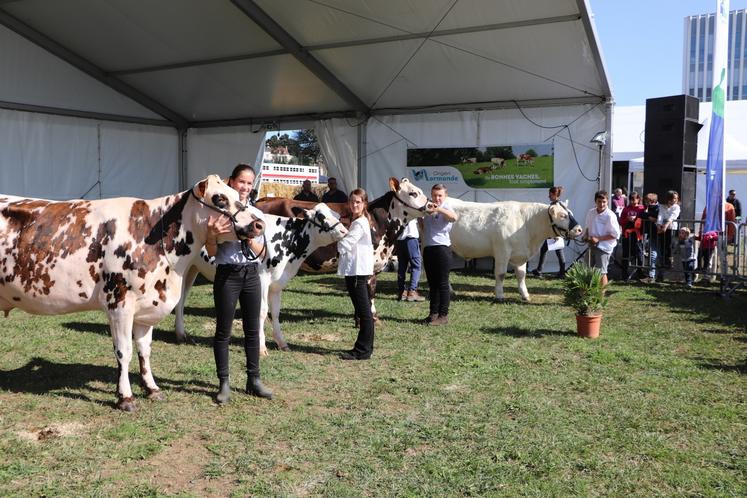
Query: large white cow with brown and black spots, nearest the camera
point(125, 256)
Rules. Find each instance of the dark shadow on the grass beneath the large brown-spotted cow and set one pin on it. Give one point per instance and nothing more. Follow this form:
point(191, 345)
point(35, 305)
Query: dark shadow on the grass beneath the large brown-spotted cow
point(40, 376)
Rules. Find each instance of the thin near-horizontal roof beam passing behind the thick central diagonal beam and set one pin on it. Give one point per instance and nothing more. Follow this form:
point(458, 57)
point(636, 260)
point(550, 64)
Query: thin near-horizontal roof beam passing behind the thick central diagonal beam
point(347, 44)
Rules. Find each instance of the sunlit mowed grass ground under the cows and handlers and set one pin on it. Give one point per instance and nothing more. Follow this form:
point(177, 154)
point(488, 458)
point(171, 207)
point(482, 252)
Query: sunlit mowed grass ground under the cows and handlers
point(503, 401)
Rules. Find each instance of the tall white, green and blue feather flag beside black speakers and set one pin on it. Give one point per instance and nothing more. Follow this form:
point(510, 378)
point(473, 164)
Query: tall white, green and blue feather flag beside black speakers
point(715, 177)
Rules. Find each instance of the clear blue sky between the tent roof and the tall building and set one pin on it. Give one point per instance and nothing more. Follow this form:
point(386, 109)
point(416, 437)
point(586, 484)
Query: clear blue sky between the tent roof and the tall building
point(642, 44)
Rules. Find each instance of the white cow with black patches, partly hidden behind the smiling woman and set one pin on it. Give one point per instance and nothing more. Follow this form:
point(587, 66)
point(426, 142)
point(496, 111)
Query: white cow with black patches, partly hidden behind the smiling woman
point(289, 242)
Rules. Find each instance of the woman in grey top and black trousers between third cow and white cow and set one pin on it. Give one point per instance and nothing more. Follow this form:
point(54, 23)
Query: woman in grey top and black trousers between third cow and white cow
point(437, 253)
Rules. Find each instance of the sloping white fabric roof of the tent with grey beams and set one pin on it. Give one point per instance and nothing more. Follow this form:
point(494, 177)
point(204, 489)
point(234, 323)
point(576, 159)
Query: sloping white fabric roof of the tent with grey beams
point(197, 63)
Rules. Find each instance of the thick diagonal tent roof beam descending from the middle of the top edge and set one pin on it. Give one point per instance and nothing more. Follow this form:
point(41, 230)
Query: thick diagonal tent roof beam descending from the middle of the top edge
point(272, 28)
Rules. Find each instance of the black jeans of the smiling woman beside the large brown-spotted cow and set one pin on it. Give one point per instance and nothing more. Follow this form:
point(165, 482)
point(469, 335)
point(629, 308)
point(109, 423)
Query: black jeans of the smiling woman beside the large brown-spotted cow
point(236, 283)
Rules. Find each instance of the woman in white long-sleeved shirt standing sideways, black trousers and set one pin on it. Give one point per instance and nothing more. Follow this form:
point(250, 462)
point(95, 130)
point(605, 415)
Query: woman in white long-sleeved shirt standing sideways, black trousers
point(356, 265)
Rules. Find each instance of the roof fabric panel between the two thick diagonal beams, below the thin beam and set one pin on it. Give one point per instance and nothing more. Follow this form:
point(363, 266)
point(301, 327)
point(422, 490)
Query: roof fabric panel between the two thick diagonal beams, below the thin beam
point(270, 86)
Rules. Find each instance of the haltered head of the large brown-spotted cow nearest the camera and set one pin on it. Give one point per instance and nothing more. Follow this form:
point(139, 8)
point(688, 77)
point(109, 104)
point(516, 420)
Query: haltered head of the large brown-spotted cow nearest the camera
point(219, 198)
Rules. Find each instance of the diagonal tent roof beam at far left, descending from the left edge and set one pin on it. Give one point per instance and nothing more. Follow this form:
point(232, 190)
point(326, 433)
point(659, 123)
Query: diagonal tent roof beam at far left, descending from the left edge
point(90, 69)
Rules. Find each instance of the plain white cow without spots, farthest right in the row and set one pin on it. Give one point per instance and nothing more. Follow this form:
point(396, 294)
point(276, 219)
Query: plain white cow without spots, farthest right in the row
point(510, 232)
